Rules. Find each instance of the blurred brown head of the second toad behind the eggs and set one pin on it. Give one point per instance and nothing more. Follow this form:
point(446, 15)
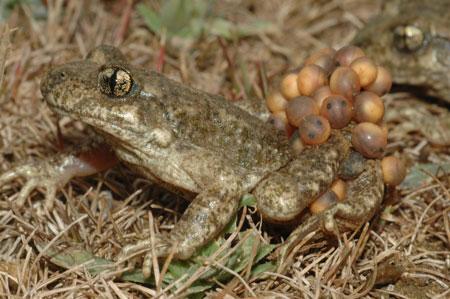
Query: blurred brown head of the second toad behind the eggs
point(428, 66)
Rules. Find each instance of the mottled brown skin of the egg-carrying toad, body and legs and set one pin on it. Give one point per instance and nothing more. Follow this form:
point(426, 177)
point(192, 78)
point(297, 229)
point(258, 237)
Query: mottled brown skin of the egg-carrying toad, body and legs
point(201, 146)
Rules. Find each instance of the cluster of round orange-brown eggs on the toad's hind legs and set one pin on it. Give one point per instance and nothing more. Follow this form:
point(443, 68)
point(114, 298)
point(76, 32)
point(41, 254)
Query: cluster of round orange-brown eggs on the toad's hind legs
point(336, 90)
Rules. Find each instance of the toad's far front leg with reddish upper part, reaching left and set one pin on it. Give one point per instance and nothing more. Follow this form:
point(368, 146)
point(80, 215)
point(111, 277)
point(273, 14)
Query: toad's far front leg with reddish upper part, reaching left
point(53, 173)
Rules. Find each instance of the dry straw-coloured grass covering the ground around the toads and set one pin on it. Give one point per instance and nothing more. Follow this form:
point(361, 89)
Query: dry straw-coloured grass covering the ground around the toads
point(105, 212)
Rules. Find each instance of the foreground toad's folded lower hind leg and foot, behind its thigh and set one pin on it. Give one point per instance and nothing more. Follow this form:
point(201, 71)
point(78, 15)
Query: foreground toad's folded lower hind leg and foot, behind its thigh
point(363, 200)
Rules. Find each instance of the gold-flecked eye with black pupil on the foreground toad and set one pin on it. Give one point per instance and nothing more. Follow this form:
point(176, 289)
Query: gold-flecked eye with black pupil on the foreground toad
point(115, 81)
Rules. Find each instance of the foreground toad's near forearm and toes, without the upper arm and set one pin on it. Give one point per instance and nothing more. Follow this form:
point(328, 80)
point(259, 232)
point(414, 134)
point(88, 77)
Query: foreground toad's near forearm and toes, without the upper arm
point(203, 220)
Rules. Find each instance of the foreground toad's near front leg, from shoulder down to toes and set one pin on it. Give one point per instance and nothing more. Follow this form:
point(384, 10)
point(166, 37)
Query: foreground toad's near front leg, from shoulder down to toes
point(219, 187)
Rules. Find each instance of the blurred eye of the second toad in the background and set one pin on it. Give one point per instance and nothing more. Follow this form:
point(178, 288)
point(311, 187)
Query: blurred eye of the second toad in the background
point(408, 38)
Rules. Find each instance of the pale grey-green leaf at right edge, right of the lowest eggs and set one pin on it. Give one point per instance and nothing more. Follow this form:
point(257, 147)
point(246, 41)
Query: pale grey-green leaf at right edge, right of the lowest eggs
point(418, 175)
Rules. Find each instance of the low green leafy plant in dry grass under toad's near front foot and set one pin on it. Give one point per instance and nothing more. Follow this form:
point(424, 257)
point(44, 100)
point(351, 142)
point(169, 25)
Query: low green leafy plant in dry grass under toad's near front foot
point(208, 268)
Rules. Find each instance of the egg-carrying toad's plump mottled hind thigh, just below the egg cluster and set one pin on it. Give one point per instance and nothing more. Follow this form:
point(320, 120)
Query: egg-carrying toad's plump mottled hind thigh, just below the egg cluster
point(285, 194)
